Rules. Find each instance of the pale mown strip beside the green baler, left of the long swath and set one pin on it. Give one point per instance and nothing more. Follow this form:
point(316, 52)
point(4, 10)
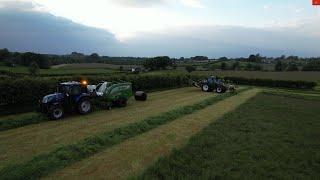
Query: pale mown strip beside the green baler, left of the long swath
point(28, 141)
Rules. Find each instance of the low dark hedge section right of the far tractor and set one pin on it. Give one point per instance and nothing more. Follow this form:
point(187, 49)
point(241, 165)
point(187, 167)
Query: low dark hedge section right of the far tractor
point(272, 83)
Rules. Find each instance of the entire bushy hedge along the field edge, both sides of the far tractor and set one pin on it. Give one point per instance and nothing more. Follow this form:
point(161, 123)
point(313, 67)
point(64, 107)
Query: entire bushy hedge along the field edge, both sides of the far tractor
point(22, 91)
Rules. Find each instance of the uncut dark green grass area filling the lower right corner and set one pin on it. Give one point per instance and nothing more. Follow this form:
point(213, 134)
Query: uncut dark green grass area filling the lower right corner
point(269, 137)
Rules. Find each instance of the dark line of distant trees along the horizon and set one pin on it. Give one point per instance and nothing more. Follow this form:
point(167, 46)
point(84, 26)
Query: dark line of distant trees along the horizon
point(254, 62)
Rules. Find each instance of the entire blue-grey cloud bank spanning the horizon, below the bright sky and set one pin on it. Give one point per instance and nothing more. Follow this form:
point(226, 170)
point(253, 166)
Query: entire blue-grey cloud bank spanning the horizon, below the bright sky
point(24, 29)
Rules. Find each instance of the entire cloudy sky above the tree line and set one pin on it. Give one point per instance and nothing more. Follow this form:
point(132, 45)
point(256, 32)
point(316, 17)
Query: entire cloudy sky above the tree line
point(176, 28)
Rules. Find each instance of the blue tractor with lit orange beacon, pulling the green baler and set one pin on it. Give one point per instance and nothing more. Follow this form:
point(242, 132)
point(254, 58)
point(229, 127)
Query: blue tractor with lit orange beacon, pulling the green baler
point(70, 96)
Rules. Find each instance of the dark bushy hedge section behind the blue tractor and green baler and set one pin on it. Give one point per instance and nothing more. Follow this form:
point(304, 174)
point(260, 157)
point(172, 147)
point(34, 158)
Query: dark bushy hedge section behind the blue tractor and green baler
point(22, 91)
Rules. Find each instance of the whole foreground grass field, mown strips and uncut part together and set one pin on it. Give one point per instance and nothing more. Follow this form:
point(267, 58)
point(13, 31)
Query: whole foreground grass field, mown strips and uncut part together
point(179, 131)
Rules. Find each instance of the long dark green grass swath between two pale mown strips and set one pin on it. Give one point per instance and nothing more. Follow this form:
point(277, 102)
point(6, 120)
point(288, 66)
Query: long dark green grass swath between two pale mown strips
point(61, 157)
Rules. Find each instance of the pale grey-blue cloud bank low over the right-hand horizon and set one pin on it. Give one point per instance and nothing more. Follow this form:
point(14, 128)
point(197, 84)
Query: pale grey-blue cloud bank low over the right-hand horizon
point(231, 41)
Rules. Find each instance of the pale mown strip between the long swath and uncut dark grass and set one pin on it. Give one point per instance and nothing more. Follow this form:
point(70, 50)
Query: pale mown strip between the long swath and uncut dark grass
point(135, 154)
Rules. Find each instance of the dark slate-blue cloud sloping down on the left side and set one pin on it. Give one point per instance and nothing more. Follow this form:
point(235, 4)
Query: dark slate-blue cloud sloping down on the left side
point(43, 32)
